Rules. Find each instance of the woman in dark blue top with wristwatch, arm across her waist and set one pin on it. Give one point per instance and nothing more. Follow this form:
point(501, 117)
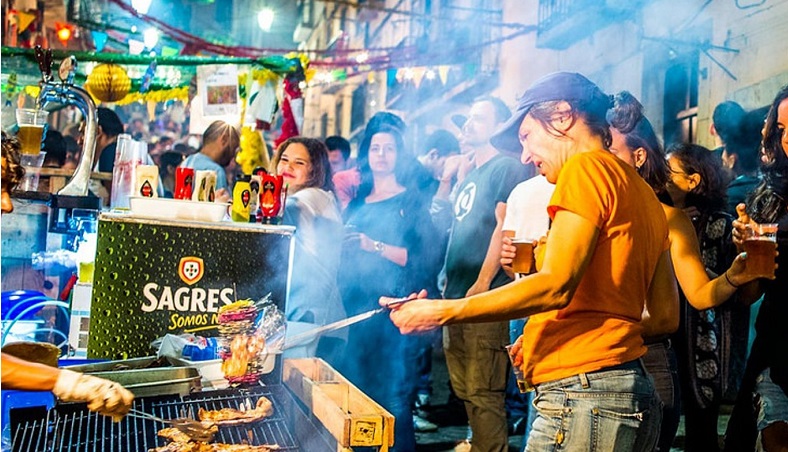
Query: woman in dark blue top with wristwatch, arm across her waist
point(386, 243)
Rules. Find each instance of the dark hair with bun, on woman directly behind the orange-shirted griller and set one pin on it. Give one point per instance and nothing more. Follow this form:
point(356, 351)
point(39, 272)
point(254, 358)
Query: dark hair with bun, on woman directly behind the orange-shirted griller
point(627, 117)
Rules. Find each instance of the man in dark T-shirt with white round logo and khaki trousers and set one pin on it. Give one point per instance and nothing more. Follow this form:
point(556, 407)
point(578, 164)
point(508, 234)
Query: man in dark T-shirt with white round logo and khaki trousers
point(475, 353)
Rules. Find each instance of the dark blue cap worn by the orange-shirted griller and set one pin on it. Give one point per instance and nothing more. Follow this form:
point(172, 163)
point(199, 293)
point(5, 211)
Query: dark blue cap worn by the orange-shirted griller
point(556, 86)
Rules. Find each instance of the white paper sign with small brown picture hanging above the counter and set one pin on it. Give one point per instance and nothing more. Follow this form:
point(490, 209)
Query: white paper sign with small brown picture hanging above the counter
point(218, 89)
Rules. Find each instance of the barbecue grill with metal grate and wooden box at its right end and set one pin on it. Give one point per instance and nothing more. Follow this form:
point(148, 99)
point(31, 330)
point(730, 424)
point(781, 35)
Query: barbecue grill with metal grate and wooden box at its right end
point(312, 412)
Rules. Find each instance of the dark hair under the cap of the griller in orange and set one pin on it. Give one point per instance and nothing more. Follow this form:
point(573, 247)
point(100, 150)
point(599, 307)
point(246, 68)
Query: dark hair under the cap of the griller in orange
point(593, 112)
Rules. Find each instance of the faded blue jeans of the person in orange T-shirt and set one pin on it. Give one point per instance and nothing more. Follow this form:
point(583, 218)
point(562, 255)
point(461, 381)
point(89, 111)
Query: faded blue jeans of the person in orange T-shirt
point(613, 409)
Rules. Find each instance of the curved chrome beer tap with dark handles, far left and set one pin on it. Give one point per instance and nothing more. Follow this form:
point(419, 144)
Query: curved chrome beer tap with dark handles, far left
point(65, 93)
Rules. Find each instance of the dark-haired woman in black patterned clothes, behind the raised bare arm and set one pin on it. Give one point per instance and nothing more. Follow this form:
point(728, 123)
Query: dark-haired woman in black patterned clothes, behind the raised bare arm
point(705, 337)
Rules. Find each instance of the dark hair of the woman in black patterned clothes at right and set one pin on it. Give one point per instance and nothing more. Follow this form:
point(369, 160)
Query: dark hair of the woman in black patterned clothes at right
point(710, 194)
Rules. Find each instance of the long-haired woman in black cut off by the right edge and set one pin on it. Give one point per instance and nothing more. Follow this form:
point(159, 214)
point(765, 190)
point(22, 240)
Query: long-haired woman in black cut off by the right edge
point(766, 373)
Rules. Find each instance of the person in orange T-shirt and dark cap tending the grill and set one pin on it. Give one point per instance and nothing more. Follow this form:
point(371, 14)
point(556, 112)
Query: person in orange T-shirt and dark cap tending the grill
point(605, 255)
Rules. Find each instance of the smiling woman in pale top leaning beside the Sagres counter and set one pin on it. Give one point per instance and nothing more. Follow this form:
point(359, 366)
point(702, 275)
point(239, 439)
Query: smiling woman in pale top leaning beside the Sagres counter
point(311, 207)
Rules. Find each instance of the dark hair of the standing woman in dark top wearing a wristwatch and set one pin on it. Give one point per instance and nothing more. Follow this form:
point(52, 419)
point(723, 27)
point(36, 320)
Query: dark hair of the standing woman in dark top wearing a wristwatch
point(403, 168)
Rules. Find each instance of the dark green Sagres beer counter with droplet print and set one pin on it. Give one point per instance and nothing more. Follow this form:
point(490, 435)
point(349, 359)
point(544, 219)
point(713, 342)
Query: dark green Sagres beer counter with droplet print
point(166, 277)
